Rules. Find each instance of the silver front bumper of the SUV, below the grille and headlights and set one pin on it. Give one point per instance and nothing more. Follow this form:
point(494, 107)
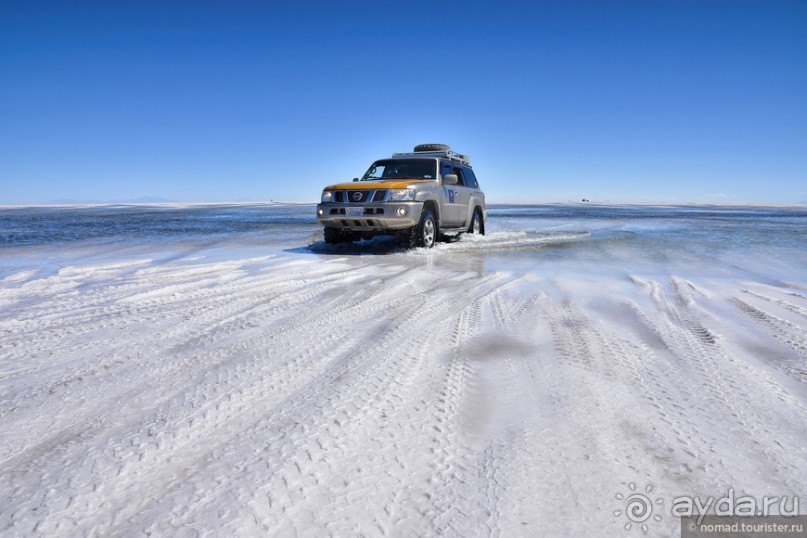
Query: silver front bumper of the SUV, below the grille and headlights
point(358, 217)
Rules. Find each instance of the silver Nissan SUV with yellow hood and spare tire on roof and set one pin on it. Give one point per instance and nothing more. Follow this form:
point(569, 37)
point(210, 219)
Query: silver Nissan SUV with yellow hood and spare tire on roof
point(416, 196)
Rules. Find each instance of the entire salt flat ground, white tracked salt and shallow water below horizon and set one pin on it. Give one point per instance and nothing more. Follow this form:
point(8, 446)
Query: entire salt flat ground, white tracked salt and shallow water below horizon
point(220, 370)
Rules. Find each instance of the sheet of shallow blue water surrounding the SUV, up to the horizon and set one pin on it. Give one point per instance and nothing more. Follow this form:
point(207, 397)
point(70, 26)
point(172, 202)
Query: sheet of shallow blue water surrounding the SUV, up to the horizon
point(764, 243)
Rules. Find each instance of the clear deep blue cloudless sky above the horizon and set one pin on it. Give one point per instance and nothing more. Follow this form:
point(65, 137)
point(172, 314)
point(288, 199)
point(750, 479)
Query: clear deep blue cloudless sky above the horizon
point(669, 101)
